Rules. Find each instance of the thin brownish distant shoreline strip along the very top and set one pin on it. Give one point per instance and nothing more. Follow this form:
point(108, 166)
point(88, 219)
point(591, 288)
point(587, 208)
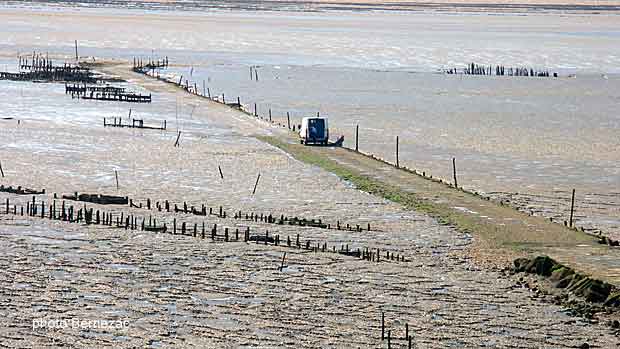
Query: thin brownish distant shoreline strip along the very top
point(493, 6)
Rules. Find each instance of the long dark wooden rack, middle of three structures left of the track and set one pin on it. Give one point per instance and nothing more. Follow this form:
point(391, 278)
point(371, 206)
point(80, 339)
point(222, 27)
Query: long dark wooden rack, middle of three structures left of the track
point(106, 93)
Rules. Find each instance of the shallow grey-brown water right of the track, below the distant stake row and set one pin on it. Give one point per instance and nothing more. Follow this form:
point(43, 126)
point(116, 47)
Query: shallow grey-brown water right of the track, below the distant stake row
point(531, 136)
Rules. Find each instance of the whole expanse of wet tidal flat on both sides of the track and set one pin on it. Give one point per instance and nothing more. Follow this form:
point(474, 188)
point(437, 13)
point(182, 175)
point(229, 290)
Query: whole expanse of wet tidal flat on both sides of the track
point(526, 140)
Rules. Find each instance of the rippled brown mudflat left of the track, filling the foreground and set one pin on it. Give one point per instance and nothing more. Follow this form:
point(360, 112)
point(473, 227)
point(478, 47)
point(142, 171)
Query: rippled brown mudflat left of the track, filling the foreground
point(174, 290)
